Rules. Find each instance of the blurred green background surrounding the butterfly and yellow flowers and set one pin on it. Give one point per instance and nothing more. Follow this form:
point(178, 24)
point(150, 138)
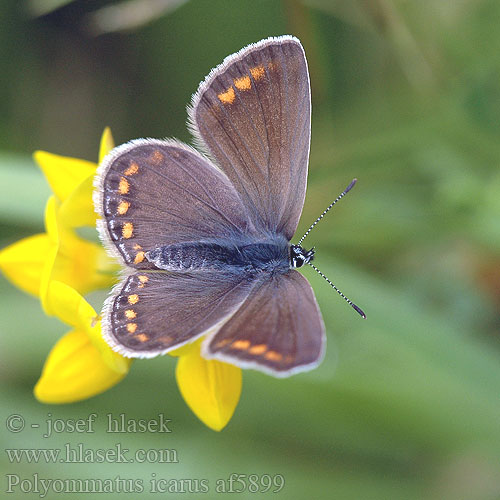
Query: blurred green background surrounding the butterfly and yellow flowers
point(406, 97)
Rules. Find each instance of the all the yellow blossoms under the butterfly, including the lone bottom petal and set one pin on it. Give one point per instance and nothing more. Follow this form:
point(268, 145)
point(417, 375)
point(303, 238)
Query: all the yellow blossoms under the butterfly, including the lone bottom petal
point(60, 267)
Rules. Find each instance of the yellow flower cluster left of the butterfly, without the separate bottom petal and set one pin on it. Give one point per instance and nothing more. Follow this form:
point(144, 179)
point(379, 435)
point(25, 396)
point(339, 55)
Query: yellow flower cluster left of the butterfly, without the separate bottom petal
point(59, 266)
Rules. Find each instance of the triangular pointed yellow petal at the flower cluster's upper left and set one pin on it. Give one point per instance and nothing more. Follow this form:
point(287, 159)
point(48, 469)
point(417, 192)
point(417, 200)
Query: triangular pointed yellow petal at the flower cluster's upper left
point(63, 174)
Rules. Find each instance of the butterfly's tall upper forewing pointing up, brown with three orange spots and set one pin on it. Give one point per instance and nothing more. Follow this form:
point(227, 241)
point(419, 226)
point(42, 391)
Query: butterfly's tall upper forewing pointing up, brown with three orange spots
point(253, 115)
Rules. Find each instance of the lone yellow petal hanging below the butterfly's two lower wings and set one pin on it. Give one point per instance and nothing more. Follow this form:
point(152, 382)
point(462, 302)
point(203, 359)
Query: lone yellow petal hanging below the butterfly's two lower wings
point(210, 388)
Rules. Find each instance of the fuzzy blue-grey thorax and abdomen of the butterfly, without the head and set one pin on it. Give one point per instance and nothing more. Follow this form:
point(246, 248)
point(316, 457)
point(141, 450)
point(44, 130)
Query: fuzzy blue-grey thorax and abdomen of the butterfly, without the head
point(269, 254)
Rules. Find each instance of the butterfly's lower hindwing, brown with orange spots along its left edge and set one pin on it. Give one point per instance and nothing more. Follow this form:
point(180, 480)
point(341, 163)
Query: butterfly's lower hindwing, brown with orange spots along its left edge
point(152, 312)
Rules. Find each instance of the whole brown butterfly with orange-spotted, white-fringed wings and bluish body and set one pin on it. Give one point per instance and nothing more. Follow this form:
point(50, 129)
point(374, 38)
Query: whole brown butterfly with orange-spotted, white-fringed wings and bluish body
point(204, 238)
